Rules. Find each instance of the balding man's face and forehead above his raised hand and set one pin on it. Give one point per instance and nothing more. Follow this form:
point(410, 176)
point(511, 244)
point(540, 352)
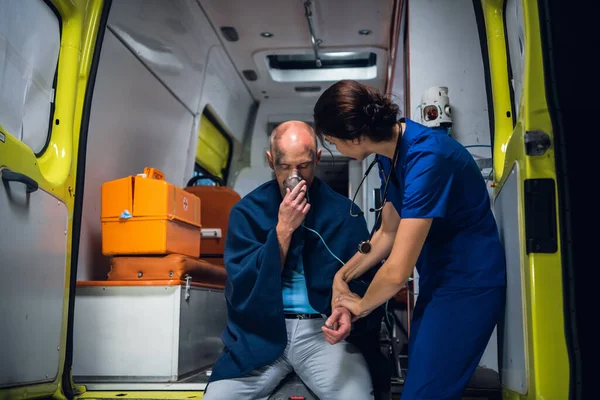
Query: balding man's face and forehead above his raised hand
point(294, 152)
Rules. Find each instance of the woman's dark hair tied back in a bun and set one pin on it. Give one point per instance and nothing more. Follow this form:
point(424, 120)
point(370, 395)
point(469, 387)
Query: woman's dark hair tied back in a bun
point(348, 110)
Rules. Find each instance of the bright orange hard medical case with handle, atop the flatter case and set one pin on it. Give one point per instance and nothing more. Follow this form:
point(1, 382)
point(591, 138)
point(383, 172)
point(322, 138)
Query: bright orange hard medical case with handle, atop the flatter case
point(145, 214)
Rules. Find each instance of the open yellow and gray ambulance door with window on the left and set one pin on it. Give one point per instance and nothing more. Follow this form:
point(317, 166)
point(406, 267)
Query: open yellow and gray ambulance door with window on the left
point(46, 77)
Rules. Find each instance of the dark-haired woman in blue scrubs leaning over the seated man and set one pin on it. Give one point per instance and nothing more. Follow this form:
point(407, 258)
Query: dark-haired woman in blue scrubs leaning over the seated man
point(436, 216)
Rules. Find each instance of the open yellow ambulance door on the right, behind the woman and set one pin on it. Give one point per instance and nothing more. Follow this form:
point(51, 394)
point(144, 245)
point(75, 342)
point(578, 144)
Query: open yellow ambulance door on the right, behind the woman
point(534, 355)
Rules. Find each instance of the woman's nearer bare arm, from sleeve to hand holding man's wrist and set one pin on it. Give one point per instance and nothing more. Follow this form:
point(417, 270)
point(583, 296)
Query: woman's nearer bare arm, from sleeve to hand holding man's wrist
point(394, 273)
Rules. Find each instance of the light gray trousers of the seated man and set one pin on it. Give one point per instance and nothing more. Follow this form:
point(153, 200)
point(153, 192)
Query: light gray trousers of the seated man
point(331, 372)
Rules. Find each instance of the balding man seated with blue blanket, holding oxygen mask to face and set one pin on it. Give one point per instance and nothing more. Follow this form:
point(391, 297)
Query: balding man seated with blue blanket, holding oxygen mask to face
point(285, 242)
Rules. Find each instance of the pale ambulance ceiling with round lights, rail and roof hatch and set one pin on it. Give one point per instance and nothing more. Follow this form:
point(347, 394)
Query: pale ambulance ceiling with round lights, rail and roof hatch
point(337, 23)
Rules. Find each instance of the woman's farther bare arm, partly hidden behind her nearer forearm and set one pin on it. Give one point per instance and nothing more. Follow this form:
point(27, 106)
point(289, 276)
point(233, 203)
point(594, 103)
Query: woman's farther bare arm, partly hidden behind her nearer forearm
point(381, 245)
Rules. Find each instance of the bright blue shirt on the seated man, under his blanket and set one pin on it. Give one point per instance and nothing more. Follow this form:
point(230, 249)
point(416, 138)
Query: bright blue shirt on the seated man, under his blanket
point(294, 292)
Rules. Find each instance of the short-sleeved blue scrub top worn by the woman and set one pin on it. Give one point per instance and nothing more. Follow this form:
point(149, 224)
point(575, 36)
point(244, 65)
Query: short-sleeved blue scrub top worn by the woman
point(438, 178)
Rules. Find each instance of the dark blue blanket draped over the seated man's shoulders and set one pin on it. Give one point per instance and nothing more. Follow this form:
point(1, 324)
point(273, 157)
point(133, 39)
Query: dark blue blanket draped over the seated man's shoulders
point(255, 335)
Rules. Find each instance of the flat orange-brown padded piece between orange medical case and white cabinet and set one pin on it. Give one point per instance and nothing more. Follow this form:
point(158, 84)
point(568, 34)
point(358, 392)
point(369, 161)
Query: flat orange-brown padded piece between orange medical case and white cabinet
point(171, 267)
